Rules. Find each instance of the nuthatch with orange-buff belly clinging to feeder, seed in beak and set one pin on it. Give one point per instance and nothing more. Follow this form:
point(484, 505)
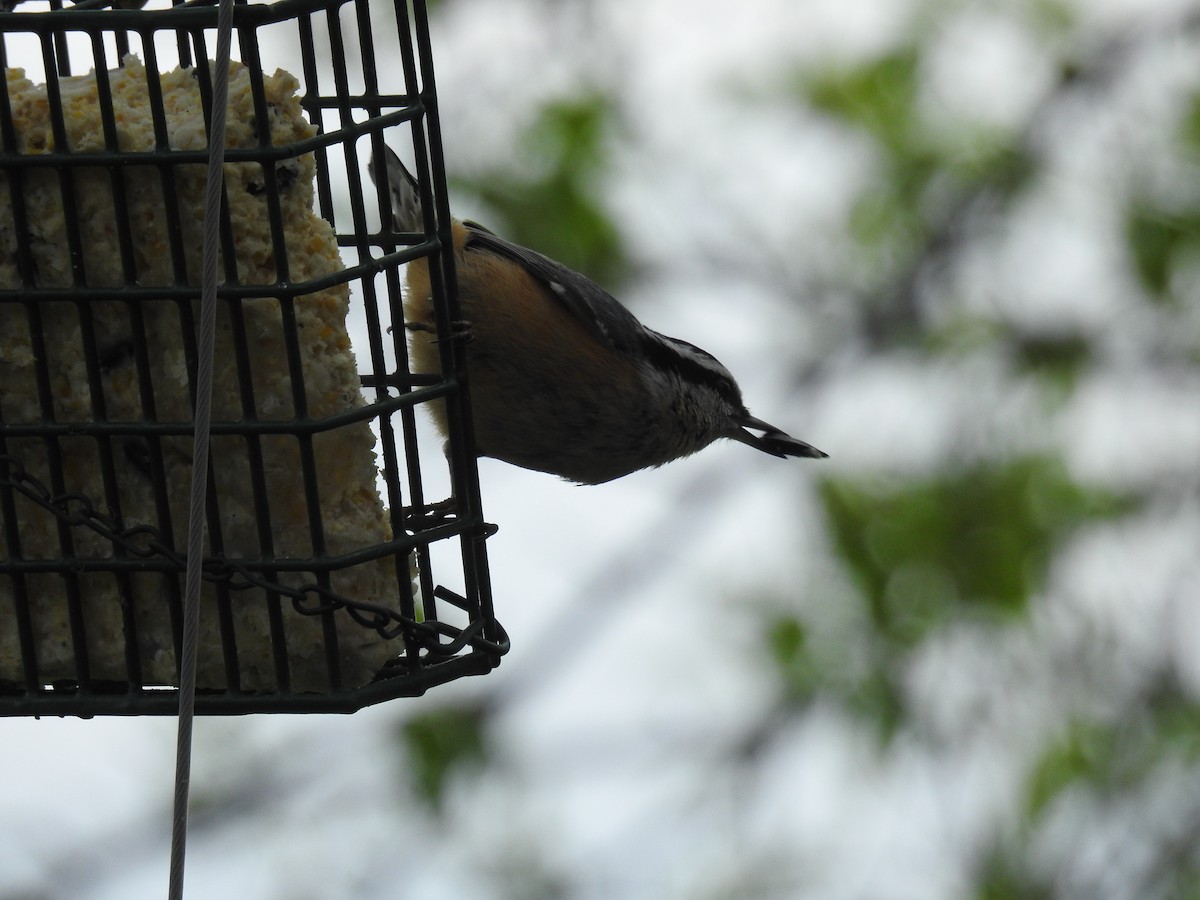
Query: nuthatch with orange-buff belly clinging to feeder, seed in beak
point(565, 379)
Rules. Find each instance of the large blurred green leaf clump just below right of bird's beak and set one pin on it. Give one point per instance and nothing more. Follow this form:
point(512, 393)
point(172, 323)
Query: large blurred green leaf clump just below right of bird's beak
point(922, 551)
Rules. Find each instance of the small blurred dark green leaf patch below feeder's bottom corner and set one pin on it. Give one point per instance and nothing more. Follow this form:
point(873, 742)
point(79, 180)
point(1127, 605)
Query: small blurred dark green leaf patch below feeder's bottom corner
point(440, 745)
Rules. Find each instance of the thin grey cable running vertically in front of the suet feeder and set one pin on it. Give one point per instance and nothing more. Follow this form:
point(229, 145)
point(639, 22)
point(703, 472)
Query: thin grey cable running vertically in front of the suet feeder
point(202, 423)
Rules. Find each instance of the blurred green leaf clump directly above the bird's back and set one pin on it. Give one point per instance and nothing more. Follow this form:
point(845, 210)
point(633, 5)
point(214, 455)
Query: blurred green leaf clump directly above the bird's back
point(559, 212)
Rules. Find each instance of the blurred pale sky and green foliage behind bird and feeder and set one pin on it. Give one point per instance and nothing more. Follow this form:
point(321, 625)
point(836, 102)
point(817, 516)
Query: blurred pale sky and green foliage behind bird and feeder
point(953, 243)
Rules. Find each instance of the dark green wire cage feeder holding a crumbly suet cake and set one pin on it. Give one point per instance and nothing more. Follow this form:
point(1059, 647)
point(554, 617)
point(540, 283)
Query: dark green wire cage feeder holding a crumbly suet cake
point(345, 560)
